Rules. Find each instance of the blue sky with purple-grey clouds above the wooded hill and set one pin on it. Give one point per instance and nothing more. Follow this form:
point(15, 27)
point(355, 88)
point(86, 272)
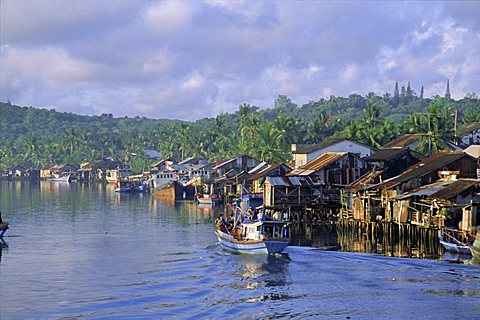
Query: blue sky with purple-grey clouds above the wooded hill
point(194, 59)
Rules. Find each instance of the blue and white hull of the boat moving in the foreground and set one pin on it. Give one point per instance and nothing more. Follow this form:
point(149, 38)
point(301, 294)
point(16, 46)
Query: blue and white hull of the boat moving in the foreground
point(250, 246)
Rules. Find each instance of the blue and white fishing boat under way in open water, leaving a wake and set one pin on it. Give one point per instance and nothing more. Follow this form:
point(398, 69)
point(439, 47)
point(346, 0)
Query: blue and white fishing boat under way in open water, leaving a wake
point(245, 233)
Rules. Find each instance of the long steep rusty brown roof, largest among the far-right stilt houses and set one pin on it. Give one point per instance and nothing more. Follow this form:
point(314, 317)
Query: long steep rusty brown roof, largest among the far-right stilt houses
point(424, 167)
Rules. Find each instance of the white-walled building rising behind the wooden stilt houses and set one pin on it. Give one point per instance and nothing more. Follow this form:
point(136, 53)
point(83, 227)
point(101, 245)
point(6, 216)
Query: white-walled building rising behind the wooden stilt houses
point(304, 153)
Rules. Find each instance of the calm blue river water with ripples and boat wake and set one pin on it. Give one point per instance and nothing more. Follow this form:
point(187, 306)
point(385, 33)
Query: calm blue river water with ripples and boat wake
point(87, 252)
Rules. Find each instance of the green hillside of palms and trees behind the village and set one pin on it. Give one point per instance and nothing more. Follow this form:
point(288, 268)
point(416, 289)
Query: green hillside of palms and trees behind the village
point(34, 137)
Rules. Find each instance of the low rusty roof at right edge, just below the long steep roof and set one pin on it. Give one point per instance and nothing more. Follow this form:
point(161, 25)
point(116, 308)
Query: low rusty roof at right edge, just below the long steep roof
point(442, 189)
